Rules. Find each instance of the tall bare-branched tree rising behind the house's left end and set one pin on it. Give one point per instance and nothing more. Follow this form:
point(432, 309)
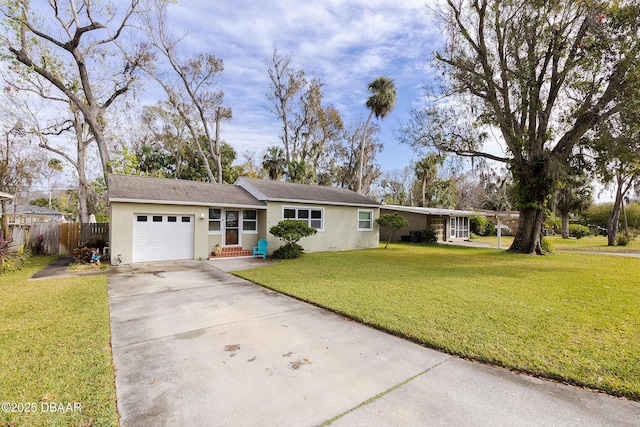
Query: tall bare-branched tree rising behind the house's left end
point(78, 47)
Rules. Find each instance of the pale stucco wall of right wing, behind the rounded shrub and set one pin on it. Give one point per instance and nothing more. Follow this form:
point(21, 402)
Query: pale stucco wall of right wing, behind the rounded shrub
point(340, 228)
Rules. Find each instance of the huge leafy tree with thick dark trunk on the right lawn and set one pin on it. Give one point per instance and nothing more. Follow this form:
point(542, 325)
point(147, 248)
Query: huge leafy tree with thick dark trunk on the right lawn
point(541, 72)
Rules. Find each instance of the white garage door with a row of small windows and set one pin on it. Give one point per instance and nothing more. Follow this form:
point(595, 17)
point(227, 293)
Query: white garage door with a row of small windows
point(162, 237)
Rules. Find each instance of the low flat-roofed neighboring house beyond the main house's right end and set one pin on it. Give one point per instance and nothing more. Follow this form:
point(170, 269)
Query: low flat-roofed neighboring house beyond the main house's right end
point(449, 224)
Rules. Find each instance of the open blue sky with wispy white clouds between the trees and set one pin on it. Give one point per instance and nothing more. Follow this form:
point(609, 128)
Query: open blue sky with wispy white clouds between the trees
point(345, 44)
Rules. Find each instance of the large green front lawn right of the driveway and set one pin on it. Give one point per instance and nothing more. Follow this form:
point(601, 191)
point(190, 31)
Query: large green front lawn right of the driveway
point(567, 316)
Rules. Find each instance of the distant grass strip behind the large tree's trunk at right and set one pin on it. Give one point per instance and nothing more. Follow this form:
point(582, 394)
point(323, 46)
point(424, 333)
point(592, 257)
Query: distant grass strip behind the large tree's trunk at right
point(586, 244)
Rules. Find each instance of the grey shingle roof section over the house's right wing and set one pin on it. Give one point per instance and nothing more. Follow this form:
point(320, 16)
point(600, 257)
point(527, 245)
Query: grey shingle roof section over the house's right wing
point(278, 191)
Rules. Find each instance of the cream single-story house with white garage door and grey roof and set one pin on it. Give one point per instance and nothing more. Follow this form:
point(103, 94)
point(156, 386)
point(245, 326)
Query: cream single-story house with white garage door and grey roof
point(155, 219)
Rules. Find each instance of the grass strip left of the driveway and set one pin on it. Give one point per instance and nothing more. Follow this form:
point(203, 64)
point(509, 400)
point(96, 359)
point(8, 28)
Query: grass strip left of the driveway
point(55, 347)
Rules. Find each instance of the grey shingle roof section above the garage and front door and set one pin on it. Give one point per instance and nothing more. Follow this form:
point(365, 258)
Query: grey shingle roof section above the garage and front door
point(129, 188)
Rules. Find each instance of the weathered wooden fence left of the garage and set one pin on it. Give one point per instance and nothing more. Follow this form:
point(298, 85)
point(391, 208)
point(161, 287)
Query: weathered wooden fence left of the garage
point(59, 239)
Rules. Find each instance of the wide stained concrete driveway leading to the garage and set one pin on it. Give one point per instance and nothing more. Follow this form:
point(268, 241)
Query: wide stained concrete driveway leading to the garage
point(196, 346)
